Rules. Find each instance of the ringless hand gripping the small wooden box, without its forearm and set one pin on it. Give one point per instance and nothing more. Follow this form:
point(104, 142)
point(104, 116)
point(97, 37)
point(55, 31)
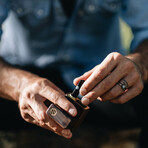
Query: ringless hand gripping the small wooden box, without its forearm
point(33, 109)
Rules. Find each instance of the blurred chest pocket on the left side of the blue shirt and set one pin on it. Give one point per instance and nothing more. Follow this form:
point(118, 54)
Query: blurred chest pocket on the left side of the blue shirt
point(38, 9)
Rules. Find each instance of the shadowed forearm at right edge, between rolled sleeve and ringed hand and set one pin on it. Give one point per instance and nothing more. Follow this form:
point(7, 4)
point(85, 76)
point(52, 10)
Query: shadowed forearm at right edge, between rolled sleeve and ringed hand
point(140, 58)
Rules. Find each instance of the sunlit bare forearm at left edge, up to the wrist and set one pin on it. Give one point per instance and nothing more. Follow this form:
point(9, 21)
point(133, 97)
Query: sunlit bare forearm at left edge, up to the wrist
point(12, 80)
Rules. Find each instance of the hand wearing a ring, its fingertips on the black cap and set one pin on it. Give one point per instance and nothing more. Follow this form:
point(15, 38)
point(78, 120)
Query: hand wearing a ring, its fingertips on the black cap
point(102, 82)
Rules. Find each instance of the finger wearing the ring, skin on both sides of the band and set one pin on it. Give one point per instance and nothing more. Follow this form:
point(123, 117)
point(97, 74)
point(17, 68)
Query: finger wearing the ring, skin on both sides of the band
point(114, 92)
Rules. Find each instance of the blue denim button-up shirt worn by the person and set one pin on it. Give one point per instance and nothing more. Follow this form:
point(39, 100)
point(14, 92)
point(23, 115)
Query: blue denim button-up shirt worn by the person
point(37, 32)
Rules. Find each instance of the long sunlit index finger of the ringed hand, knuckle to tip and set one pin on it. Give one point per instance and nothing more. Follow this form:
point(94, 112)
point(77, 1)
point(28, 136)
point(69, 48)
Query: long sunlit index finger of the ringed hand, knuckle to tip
point(98, 75)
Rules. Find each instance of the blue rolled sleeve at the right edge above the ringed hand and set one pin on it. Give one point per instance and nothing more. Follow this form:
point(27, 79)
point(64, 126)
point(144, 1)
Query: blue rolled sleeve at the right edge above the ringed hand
point(136, 15)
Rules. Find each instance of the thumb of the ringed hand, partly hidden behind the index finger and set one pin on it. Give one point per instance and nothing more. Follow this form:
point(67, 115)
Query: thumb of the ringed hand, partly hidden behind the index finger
point(84, 76)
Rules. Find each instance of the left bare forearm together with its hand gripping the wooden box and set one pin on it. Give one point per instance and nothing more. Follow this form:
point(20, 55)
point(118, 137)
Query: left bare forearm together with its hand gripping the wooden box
point(30, 91)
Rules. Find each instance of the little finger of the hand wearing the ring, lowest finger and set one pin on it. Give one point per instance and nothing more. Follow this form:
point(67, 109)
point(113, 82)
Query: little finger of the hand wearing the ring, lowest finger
point(131, 93)
